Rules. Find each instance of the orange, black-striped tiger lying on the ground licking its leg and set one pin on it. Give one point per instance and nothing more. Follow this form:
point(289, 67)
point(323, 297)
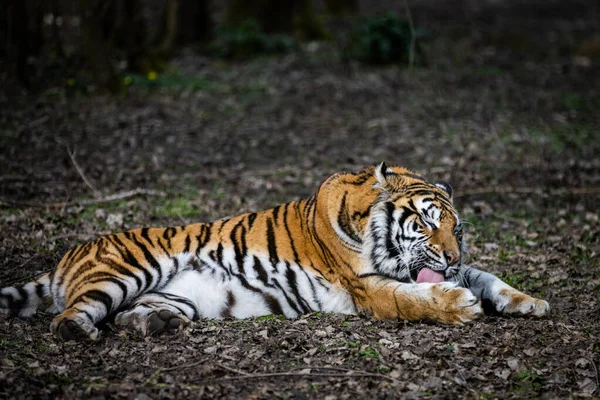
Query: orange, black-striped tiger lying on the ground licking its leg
point(382, 241)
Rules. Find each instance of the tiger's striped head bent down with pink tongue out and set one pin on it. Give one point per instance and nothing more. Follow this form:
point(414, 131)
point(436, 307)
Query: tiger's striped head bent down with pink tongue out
point(414, 233)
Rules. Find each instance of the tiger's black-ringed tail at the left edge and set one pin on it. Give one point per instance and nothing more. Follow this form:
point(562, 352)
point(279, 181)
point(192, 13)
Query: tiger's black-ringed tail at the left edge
point(24, 301)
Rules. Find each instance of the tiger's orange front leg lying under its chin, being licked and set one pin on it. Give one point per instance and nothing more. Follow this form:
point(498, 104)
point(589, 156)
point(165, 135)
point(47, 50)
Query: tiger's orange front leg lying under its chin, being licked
point(443, 302)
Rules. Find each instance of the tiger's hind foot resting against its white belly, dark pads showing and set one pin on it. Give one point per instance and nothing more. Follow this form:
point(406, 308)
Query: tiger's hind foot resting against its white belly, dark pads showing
point(156, 313)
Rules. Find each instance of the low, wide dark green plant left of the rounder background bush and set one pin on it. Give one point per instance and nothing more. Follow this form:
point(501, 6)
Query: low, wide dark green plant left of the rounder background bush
point(247, 40)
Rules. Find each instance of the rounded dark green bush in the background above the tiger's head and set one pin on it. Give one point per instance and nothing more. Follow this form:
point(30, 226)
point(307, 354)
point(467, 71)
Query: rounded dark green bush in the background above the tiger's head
point(385, 39)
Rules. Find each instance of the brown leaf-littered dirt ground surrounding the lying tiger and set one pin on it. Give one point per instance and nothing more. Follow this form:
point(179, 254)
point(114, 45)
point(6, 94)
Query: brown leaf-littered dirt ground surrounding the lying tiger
point(506, 110)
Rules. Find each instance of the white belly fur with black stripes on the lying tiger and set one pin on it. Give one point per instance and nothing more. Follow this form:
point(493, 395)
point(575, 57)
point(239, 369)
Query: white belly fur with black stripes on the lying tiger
point(212, 288)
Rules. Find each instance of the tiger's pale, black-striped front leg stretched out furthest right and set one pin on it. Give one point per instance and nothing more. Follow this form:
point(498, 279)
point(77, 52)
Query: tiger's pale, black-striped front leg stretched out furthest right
point(499, 295)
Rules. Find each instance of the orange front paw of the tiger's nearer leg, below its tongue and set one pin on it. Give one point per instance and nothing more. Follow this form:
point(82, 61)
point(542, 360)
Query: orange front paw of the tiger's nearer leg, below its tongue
point(455, 305)
